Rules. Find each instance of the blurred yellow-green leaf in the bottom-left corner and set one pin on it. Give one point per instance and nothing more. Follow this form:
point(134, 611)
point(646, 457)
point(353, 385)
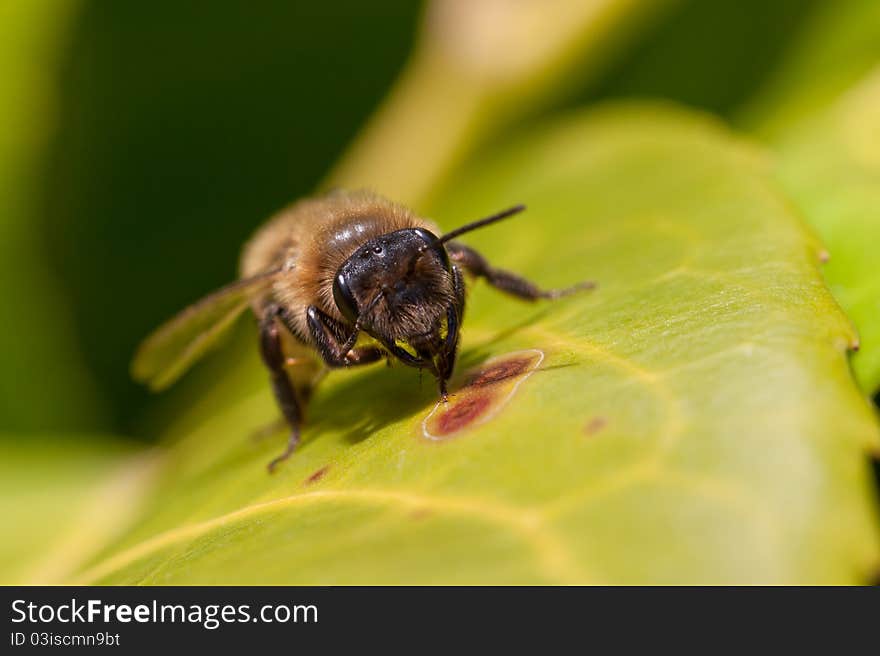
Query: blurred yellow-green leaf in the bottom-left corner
point(62, 499)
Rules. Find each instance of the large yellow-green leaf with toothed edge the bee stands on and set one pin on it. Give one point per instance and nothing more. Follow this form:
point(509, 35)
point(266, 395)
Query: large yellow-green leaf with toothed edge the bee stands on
point(692, 420)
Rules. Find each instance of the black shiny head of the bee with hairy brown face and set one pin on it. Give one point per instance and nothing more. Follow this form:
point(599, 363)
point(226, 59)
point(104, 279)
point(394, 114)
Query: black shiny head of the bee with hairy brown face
point(398, 288)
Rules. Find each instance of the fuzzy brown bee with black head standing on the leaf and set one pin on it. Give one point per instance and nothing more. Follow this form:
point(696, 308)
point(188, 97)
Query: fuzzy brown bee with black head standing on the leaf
point(341, 280)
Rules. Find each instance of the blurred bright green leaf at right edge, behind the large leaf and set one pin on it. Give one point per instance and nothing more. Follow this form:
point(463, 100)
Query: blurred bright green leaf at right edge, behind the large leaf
point(821, 113)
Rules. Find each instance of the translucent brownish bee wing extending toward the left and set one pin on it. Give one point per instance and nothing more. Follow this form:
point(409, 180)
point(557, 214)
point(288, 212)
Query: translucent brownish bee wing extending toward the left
point(171, 349)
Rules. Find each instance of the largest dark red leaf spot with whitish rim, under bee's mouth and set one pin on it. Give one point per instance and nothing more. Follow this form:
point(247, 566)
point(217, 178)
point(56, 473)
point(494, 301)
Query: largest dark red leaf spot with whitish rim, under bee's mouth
point(485, 392)
